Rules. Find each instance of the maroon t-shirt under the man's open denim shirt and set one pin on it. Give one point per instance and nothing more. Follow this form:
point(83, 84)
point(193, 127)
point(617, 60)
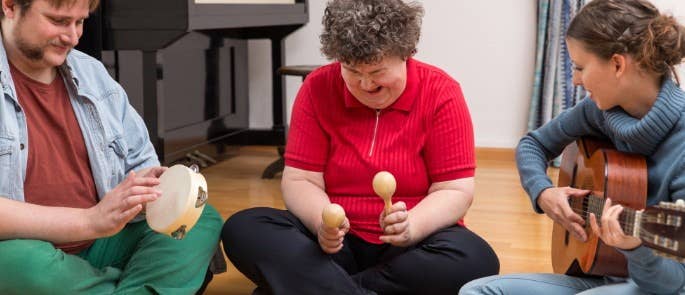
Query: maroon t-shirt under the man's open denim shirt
point(58, 169)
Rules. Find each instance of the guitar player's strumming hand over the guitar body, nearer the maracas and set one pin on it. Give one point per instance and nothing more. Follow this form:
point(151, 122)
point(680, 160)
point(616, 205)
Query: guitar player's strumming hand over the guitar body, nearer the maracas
point(554, 202)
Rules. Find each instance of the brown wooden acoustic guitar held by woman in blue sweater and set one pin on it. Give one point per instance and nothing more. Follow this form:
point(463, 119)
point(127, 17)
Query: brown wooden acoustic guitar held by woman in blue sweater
point(607, 173)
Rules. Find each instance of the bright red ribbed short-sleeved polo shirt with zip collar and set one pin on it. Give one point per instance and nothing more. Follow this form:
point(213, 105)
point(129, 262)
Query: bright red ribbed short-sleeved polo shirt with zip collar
point(426, 136)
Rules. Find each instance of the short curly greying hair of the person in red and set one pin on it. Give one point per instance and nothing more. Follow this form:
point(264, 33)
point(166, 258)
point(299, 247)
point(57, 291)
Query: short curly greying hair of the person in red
point(365, 31)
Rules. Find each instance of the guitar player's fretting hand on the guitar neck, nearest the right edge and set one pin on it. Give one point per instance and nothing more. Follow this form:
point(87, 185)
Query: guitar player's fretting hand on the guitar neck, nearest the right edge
point(610, 230)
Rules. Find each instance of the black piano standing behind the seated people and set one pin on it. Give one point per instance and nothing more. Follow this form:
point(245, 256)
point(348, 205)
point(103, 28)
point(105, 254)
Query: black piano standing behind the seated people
point(183, 64)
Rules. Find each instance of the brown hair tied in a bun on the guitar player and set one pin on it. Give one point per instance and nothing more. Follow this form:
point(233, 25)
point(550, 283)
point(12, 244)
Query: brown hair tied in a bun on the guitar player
point(635, 27)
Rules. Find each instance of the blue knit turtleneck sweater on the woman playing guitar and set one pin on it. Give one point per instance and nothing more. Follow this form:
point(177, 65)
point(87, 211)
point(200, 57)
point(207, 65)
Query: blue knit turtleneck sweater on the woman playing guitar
point(659, 136)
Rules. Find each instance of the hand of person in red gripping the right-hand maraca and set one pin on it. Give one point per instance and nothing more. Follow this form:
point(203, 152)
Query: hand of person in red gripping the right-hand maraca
point(396, 226)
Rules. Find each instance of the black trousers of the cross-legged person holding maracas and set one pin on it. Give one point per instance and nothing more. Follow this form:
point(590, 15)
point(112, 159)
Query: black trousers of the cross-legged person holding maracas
point(279, 254)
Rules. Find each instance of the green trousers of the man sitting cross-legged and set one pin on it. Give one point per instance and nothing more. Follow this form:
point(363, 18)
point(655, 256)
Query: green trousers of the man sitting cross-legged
point(137, 260)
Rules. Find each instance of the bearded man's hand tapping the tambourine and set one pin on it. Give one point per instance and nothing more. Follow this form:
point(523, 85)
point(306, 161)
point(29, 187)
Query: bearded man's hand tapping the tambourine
point(122, 204)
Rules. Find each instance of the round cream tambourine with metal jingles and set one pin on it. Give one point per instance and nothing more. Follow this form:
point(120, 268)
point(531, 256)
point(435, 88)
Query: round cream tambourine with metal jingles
point(184, 194)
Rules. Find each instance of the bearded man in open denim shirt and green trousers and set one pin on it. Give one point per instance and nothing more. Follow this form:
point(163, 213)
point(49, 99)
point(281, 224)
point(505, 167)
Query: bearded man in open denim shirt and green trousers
point(76, 168)
